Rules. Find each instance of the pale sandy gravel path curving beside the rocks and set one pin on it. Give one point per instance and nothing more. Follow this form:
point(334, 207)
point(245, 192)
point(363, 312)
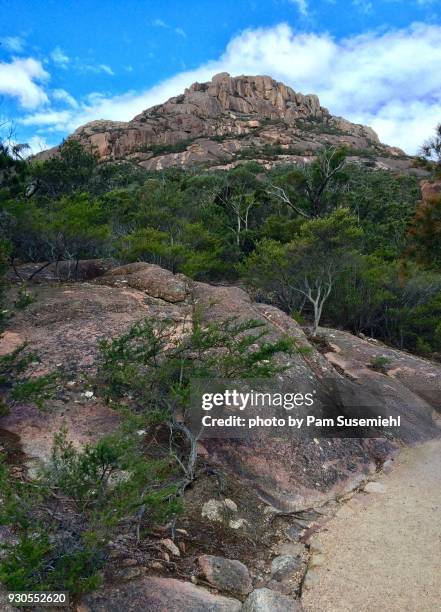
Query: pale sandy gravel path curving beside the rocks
point(382, 552)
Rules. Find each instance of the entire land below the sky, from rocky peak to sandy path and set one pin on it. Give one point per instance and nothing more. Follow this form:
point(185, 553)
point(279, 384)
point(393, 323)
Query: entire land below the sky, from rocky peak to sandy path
point(123, 286)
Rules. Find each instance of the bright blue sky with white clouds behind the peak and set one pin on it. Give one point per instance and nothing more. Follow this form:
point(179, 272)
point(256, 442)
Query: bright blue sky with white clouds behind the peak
point(63, 63)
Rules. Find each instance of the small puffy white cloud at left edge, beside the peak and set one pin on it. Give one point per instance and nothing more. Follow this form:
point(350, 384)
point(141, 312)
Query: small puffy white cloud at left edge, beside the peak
point(22, 78)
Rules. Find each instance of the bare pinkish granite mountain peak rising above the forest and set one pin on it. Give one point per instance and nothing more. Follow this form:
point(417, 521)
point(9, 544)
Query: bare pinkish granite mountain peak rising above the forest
point(230, 119)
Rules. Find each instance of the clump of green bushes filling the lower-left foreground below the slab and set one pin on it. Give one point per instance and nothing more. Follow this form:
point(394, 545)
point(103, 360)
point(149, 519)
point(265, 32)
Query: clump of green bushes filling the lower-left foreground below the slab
point(64, 517)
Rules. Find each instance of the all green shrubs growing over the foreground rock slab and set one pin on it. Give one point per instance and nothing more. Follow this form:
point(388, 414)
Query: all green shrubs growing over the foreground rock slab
point(65, 516)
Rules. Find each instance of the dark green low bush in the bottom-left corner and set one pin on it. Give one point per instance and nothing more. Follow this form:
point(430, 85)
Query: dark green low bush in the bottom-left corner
point(44, 556)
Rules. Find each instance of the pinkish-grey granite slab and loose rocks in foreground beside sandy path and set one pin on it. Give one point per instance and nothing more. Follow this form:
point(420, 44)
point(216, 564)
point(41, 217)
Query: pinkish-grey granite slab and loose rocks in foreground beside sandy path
point(290, 473)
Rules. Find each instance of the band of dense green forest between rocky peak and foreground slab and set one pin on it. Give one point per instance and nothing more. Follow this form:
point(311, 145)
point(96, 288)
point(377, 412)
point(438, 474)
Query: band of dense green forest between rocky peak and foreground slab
point(331, 241)
